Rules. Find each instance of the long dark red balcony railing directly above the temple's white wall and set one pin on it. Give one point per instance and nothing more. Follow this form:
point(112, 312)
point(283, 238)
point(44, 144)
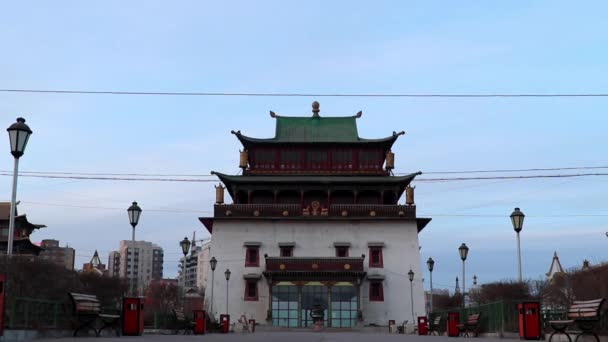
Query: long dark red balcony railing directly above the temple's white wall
point(334, 211)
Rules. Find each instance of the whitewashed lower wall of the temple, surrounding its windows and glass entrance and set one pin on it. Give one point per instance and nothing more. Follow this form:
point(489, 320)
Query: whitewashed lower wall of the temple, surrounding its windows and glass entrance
point(316, 238)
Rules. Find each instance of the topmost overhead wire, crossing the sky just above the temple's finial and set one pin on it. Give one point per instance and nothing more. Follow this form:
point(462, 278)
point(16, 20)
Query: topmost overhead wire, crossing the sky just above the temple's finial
point(268, 94)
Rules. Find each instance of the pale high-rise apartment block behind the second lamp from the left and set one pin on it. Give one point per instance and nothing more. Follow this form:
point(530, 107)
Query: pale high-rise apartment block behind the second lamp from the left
point(140, 261)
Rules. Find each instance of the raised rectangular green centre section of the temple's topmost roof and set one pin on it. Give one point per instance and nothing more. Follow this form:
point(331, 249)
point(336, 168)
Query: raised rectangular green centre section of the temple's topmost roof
point(316, 129)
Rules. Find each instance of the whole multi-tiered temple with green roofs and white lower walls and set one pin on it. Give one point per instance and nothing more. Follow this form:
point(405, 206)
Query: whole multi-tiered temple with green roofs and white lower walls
point(315, 223)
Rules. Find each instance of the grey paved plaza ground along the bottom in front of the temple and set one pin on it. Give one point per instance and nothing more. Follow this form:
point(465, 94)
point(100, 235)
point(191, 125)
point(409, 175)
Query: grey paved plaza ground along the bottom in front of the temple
point(281, 336)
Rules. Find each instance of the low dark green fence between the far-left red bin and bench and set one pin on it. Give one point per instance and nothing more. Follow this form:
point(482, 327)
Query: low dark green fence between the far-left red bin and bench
point(30, 313)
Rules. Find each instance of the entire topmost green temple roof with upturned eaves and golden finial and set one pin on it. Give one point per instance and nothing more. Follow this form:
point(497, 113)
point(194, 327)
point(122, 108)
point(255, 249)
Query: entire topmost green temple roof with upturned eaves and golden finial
point(315, 129)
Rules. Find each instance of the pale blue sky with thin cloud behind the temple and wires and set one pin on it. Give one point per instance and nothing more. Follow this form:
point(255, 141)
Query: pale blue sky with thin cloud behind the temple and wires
point(314, 47)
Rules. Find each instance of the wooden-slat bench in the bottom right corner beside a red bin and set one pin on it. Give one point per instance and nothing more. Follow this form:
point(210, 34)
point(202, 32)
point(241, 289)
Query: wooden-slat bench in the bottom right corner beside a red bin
point(586, 316)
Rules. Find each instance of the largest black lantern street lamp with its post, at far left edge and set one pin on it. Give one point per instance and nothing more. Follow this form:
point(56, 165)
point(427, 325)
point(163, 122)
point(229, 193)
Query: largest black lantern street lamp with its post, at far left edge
point(18, 135)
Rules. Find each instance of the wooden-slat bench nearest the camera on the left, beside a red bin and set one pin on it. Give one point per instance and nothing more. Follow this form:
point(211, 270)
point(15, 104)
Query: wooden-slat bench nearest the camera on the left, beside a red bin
point(87, 310)
